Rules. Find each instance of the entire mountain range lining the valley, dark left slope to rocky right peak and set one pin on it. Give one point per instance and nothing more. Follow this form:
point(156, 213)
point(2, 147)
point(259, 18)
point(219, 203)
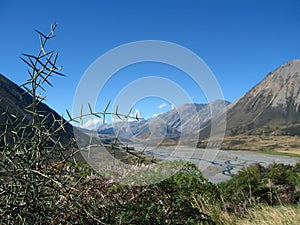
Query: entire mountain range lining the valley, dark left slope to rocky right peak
point(267, 117)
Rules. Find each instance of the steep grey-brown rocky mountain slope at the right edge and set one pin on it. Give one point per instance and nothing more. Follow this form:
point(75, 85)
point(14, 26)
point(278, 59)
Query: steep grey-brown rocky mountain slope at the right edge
point(273, 105)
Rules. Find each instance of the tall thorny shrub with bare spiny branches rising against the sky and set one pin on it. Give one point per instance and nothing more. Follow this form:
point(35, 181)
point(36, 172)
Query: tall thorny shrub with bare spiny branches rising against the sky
point(33, 189)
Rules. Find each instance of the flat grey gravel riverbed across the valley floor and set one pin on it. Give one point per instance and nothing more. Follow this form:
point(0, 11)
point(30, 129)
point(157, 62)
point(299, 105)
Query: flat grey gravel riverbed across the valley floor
point(216, 165)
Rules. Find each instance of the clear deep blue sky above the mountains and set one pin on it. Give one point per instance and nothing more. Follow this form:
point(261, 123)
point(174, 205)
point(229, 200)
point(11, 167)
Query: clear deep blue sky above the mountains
point(240, 41)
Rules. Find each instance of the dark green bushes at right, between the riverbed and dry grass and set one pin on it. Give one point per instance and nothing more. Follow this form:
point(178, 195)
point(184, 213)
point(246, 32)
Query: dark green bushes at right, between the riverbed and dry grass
point(273, 185)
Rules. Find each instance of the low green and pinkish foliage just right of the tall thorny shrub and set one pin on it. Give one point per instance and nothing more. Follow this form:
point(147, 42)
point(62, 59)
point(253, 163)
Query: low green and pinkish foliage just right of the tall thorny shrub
point(172, 201)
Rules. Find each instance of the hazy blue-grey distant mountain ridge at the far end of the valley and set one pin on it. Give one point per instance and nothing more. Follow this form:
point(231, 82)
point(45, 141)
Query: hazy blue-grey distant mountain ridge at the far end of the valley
point(184, 120)
